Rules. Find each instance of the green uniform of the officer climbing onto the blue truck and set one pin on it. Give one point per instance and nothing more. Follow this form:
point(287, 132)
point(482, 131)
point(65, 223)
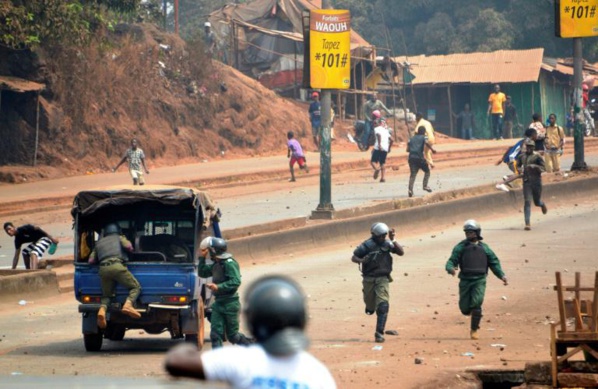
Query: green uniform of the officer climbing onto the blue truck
point(112, 270)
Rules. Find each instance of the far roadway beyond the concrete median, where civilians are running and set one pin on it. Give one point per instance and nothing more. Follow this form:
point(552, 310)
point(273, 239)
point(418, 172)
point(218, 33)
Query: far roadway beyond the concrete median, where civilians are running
point(279, 200)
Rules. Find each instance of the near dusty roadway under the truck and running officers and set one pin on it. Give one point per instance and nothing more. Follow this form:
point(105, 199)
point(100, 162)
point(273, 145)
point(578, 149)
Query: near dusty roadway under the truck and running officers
point(423, 309)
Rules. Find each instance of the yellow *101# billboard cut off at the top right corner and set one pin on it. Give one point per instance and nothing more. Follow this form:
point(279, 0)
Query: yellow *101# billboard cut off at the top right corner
point(576, 18)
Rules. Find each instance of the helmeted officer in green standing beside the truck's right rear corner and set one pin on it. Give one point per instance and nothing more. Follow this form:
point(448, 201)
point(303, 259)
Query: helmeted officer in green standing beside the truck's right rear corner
point(226, 279)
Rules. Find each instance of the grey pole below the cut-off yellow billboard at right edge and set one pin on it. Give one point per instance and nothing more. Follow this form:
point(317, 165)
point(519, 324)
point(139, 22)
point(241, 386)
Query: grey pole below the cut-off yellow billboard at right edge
point(578, 160)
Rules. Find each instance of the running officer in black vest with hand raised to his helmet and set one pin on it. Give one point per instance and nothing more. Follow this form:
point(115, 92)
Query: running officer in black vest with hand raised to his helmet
point(375, 260)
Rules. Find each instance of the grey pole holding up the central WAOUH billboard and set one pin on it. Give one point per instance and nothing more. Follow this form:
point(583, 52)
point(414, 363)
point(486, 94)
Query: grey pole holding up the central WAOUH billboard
point(325, 209)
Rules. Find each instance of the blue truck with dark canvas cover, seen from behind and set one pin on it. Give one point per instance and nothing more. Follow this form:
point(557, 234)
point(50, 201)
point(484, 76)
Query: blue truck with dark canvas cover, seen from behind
point(165, 225)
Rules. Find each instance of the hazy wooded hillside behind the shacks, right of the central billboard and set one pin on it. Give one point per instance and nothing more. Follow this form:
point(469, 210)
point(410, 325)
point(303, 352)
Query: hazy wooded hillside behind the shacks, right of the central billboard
point(460, 26)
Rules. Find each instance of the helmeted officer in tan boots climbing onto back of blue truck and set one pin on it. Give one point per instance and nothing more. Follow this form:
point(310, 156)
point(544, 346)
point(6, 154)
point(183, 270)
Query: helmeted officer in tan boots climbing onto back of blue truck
point(110, 251)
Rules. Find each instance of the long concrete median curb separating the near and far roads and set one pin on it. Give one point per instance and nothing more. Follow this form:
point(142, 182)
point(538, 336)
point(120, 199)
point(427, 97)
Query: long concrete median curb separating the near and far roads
point(285, 237)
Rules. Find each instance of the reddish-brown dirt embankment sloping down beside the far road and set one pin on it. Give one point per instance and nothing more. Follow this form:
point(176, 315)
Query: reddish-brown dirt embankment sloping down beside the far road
point(139, 82)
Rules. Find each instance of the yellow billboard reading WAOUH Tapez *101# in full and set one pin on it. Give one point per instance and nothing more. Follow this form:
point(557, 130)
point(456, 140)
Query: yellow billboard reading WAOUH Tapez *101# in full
point(330, 49)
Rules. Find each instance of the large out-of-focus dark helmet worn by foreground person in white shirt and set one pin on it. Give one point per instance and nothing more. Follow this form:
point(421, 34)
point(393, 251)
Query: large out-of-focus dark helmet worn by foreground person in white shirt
point(276, 314)
